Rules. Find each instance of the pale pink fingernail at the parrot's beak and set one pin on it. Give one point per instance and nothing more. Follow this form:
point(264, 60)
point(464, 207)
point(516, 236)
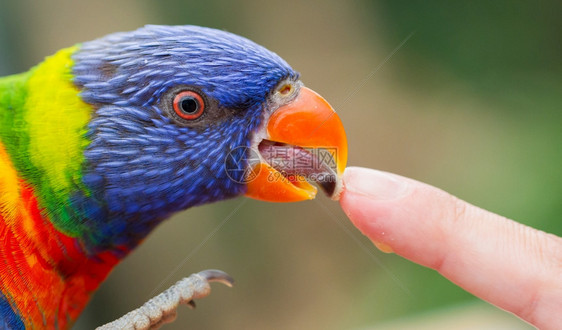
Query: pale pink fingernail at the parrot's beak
point(374, 184)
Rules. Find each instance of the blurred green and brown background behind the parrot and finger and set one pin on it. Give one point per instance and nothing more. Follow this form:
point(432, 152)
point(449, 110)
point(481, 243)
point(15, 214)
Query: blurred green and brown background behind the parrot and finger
point(471, 103)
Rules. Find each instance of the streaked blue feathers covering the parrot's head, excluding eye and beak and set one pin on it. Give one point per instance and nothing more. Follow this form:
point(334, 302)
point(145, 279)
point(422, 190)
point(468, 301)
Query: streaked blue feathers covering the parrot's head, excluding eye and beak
point(140, 165)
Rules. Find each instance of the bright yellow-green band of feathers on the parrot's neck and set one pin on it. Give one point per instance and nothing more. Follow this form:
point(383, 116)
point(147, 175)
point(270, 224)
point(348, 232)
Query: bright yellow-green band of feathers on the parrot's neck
point(43, 123)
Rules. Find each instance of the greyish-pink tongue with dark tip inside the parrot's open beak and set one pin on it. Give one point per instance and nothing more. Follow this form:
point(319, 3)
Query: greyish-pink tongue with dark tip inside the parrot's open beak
point(297, 163)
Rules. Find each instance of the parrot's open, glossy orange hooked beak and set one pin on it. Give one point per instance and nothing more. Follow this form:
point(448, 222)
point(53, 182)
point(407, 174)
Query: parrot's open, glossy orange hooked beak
point(308, 123)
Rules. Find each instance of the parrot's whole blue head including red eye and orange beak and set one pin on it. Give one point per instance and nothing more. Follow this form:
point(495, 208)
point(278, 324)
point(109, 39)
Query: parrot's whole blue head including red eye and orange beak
point(187, 115)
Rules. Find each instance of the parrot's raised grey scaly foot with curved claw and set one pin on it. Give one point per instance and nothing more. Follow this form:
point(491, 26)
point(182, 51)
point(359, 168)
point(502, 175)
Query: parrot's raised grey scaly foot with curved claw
point(162, 308)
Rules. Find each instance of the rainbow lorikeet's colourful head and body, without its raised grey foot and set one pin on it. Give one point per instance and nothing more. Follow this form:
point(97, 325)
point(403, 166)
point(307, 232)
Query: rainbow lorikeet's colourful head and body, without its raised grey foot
point(102, 141)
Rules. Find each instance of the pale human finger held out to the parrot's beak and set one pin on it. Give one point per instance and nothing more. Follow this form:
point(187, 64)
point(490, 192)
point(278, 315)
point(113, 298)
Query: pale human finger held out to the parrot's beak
point(510, 265)
